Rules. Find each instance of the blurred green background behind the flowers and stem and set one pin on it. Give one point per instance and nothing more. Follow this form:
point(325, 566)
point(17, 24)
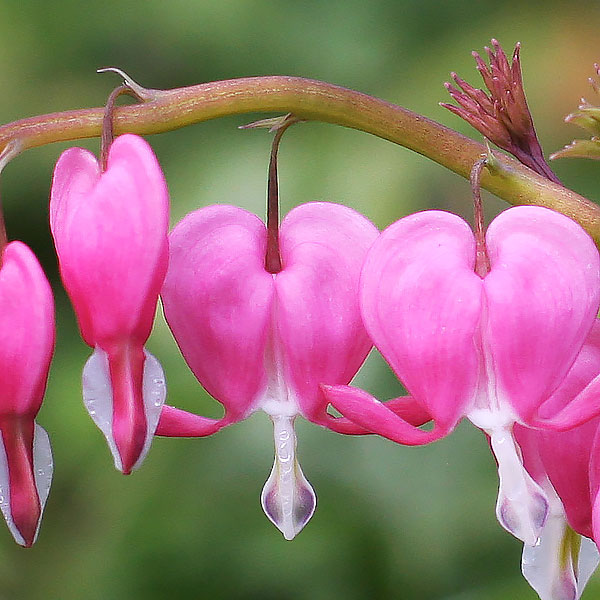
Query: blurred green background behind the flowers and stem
point(391, 522)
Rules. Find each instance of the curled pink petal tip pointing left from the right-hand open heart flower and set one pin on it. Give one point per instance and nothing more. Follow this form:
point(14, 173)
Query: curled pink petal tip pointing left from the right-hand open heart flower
point(366, 411)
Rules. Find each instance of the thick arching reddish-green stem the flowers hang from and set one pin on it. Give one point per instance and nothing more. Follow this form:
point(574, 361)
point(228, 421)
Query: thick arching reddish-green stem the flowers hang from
point(311, 100)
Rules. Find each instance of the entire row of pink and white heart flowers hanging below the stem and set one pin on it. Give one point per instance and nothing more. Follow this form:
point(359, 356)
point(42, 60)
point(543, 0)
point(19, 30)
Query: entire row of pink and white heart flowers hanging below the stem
point(515, 350)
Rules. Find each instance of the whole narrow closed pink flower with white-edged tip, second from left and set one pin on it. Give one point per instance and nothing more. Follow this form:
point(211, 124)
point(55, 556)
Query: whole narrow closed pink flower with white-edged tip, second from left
point(110, 230)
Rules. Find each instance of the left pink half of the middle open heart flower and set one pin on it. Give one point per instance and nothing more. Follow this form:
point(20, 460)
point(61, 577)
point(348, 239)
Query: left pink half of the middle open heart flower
point(217, 299)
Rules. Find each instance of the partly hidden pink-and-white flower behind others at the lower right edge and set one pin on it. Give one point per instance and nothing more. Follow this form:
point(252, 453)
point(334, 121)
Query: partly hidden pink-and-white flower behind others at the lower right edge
point(560, 564)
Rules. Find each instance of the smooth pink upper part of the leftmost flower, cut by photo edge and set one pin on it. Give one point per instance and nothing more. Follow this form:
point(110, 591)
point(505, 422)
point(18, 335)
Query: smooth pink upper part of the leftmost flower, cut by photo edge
point(26, 331)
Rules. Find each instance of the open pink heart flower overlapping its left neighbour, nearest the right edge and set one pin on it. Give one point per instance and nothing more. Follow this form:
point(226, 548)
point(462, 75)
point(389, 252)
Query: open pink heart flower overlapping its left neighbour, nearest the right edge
point(491, 348)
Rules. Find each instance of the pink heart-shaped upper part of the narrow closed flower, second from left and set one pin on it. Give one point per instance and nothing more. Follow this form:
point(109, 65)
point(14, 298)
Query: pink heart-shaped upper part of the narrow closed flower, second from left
point(110, 231)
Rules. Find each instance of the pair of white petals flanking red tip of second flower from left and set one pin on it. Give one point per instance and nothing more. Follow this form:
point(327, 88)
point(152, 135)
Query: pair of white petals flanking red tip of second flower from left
point(98, 399)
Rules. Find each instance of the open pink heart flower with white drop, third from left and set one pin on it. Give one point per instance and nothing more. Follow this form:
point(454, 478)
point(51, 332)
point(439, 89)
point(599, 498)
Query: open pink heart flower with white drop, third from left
point(261, 340)
